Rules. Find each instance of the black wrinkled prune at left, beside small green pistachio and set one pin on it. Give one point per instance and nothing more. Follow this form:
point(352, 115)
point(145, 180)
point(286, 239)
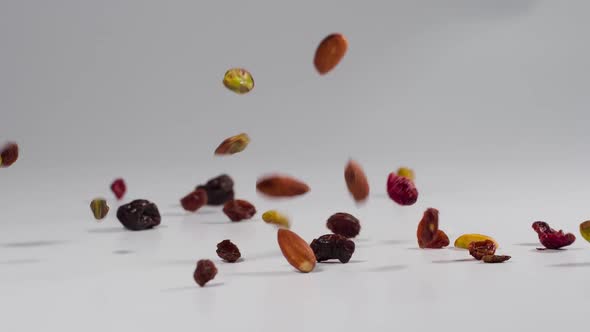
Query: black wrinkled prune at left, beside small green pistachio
point(139, 215)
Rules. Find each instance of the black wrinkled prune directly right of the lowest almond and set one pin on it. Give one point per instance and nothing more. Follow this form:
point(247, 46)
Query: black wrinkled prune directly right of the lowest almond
point(332, 246)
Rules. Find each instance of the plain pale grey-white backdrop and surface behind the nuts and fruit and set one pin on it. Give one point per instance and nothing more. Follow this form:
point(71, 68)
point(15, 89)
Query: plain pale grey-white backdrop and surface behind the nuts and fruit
point(486, 100)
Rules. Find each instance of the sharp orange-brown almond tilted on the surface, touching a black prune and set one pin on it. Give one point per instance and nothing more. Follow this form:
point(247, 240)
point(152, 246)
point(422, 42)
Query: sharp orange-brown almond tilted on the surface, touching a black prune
point(297, 252)
